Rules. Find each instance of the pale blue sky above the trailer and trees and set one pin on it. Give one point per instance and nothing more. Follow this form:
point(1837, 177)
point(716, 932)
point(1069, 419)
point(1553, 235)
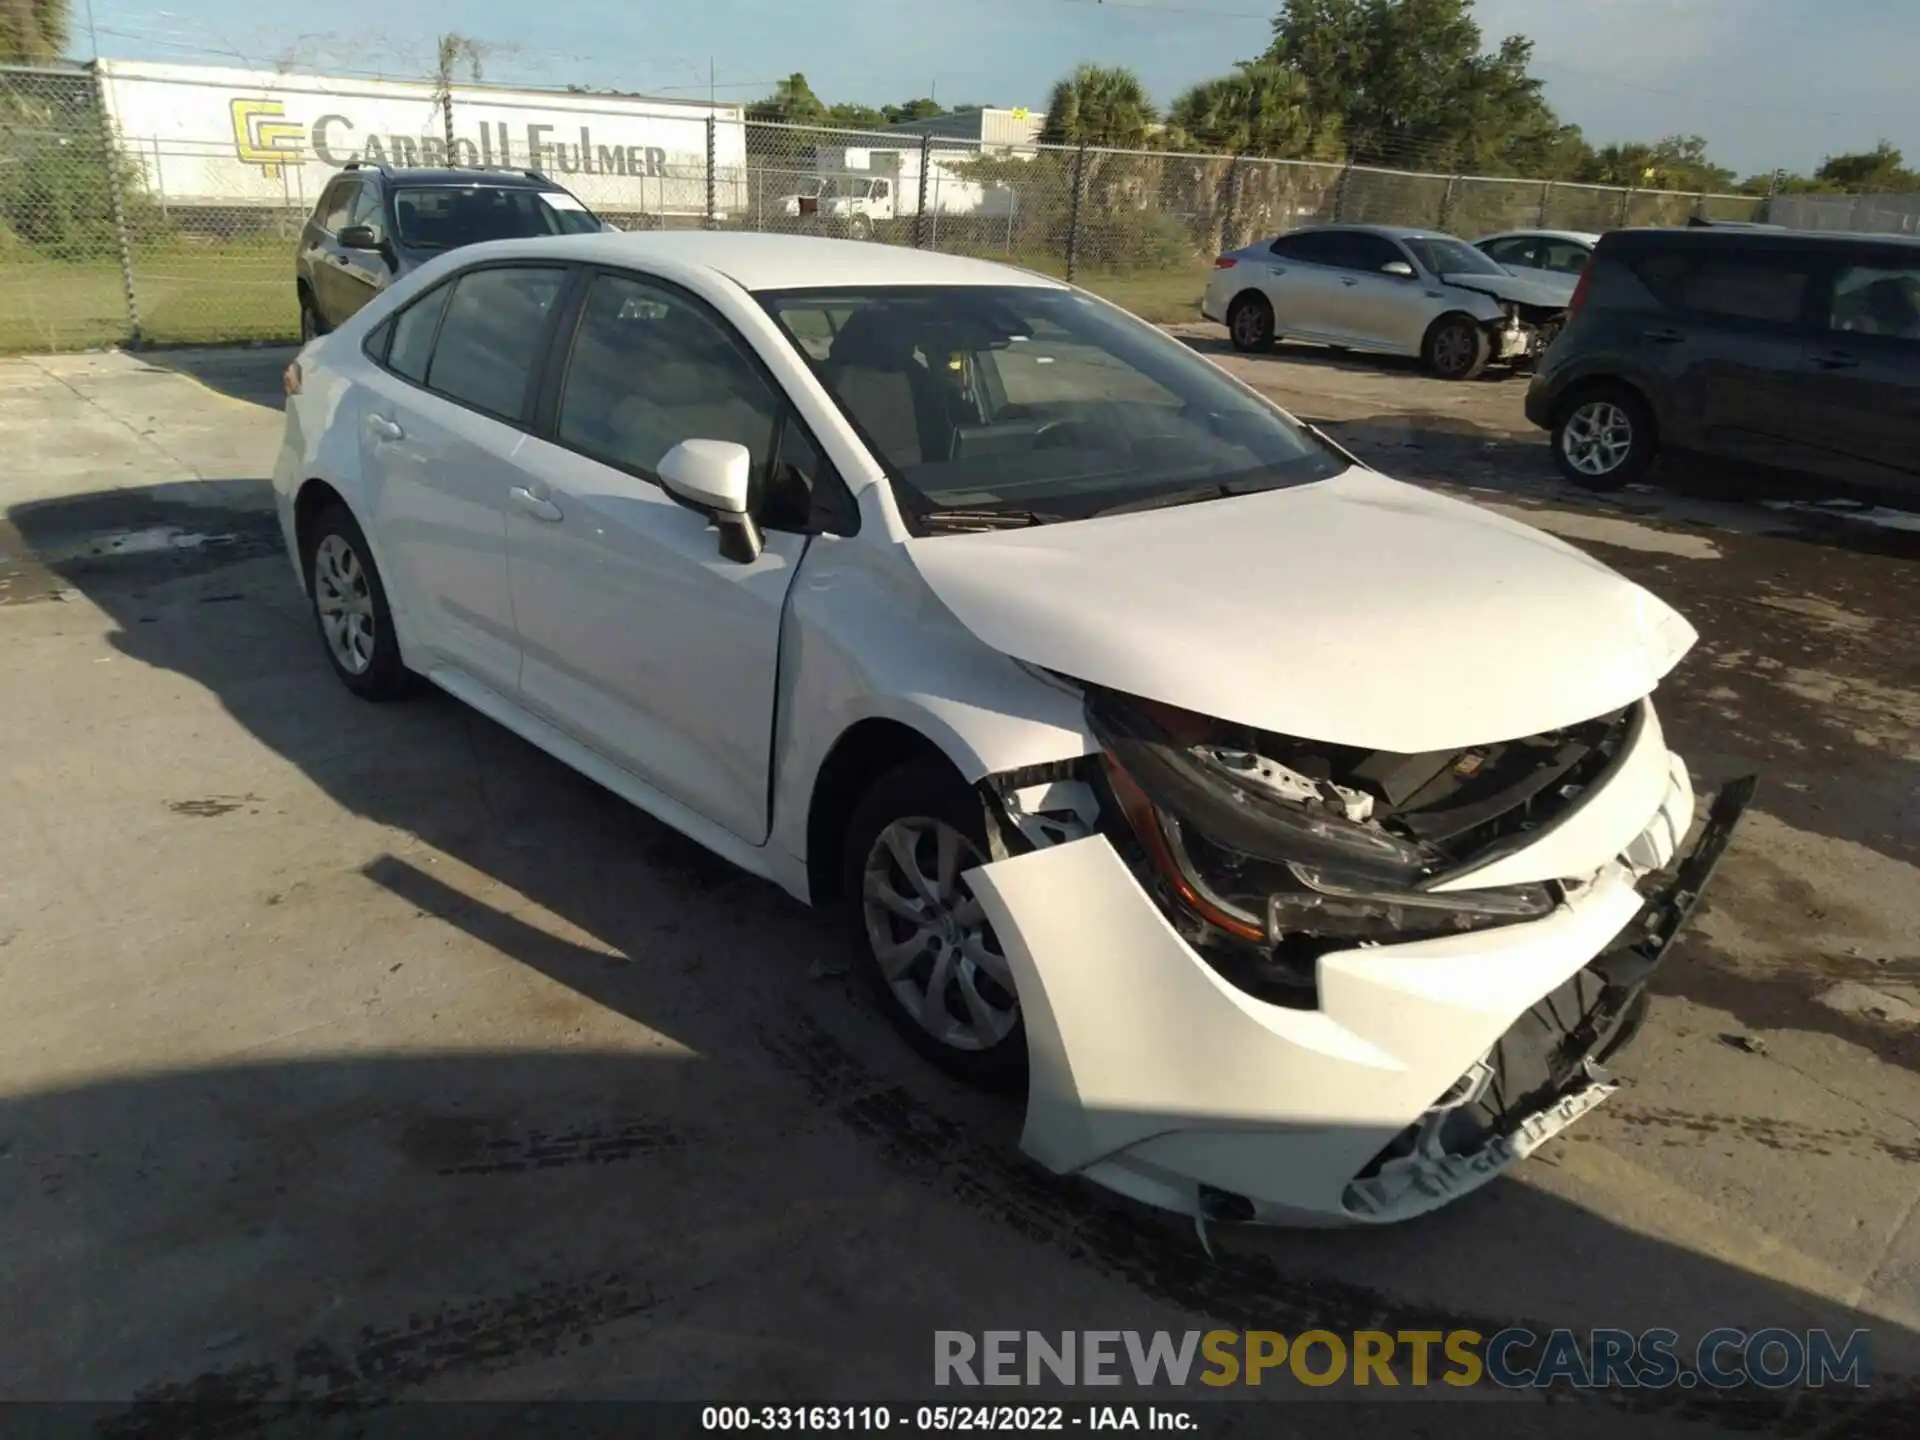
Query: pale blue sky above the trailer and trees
point(1767, 82)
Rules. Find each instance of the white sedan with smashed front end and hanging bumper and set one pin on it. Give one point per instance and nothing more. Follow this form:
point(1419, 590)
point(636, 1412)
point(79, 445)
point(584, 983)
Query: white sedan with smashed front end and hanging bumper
point(1297, 840)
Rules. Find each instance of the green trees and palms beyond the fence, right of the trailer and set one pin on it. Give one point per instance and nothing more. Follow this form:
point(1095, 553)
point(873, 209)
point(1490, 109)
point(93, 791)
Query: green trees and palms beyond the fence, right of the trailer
point(1393, 84)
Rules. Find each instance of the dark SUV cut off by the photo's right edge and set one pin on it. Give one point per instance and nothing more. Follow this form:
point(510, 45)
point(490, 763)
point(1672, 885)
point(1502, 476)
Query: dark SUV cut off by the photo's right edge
point(1773, 348)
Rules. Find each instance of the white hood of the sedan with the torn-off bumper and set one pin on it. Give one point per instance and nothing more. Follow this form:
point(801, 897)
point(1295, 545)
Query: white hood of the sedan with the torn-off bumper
point(1356, 612)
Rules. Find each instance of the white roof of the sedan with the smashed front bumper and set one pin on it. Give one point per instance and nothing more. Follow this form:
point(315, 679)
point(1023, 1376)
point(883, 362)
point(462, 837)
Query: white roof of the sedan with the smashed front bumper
point(780, 262)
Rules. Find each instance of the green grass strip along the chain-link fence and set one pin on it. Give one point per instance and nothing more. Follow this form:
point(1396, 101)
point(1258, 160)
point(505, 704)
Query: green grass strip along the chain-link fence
point(245, 291)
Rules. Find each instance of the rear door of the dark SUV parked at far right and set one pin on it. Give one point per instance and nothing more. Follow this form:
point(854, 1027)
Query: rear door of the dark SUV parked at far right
point(1731, 333)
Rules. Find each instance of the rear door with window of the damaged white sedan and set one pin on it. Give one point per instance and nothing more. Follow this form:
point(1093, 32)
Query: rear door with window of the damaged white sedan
point(443, 429)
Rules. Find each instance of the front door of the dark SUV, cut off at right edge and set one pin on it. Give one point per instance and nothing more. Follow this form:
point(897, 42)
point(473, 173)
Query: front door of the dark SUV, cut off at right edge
point(1863, 375)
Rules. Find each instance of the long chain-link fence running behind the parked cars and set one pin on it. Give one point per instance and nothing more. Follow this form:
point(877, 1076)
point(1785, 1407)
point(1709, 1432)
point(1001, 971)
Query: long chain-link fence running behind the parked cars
point(126, 239)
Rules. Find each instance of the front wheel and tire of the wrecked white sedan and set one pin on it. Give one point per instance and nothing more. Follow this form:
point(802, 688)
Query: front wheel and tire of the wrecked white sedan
point(921, 932)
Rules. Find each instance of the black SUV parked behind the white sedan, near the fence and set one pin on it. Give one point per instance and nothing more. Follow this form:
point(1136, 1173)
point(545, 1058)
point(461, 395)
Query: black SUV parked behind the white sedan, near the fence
point(377, 224)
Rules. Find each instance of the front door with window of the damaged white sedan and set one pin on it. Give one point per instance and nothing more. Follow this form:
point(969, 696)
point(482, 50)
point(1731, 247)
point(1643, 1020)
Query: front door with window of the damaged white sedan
point(638, 636)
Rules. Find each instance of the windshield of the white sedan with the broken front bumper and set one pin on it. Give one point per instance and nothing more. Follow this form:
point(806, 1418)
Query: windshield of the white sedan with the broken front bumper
point(1038, 400)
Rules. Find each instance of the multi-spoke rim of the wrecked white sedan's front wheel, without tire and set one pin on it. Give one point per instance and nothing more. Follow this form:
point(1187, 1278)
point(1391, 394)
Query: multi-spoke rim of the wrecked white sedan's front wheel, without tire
point(930, 936)
